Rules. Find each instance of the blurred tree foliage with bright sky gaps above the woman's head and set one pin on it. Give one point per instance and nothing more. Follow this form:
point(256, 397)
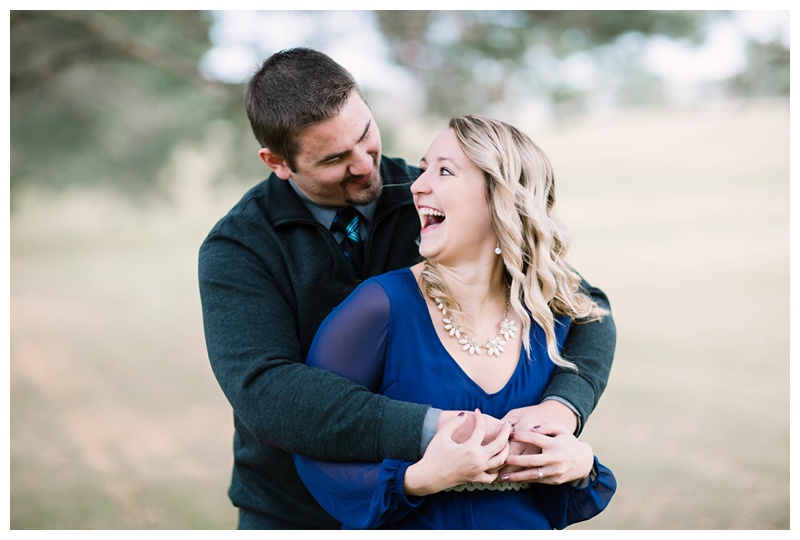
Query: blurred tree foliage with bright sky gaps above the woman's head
point(501, 56)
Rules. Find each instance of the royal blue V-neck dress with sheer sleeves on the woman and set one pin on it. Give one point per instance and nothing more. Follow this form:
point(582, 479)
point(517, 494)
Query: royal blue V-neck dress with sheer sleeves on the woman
point(382, 337)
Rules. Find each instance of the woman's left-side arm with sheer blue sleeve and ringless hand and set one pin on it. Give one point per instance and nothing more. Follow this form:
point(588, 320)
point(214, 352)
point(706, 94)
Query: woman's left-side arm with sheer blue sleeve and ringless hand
point(351, 342)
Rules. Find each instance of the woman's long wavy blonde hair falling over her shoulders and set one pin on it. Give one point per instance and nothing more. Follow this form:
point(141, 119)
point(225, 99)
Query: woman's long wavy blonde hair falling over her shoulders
point(520, 191)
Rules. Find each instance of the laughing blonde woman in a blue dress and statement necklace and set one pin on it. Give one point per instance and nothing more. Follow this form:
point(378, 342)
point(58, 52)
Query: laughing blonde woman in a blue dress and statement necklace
point(476, 326)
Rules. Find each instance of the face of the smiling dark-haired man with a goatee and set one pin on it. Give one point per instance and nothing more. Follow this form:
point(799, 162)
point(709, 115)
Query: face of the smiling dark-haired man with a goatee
point(338, 162)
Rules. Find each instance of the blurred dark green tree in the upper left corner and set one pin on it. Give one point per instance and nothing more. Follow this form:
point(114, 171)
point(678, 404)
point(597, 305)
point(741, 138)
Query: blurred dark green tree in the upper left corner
point(104, 97)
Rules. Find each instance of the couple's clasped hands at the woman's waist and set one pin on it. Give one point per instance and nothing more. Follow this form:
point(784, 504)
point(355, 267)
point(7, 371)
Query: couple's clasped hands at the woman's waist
point(475, 447)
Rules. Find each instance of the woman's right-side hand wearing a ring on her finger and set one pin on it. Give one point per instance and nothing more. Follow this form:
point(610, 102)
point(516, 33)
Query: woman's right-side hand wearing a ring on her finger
point(562, 459)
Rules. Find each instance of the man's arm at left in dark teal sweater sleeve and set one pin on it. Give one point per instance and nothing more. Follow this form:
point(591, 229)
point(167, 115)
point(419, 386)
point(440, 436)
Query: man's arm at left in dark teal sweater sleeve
point(255, 353)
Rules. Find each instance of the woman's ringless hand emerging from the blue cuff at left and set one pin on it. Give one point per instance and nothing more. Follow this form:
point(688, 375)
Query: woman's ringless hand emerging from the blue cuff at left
point(447, 463)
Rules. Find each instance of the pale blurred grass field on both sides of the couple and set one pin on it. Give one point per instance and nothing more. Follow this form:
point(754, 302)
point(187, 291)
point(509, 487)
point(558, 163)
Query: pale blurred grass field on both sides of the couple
point(682, 217)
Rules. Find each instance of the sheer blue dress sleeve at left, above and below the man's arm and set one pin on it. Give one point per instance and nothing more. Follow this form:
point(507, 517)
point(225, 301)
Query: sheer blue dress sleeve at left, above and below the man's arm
point(352, 342)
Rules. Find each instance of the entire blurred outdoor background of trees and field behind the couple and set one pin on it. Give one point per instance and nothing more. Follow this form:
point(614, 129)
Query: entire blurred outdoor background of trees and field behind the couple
point(669, 135)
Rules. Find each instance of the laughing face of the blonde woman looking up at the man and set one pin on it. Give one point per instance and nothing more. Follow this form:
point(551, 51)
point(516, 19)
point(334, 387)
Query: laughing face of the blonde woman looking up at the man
point(450, 196)
